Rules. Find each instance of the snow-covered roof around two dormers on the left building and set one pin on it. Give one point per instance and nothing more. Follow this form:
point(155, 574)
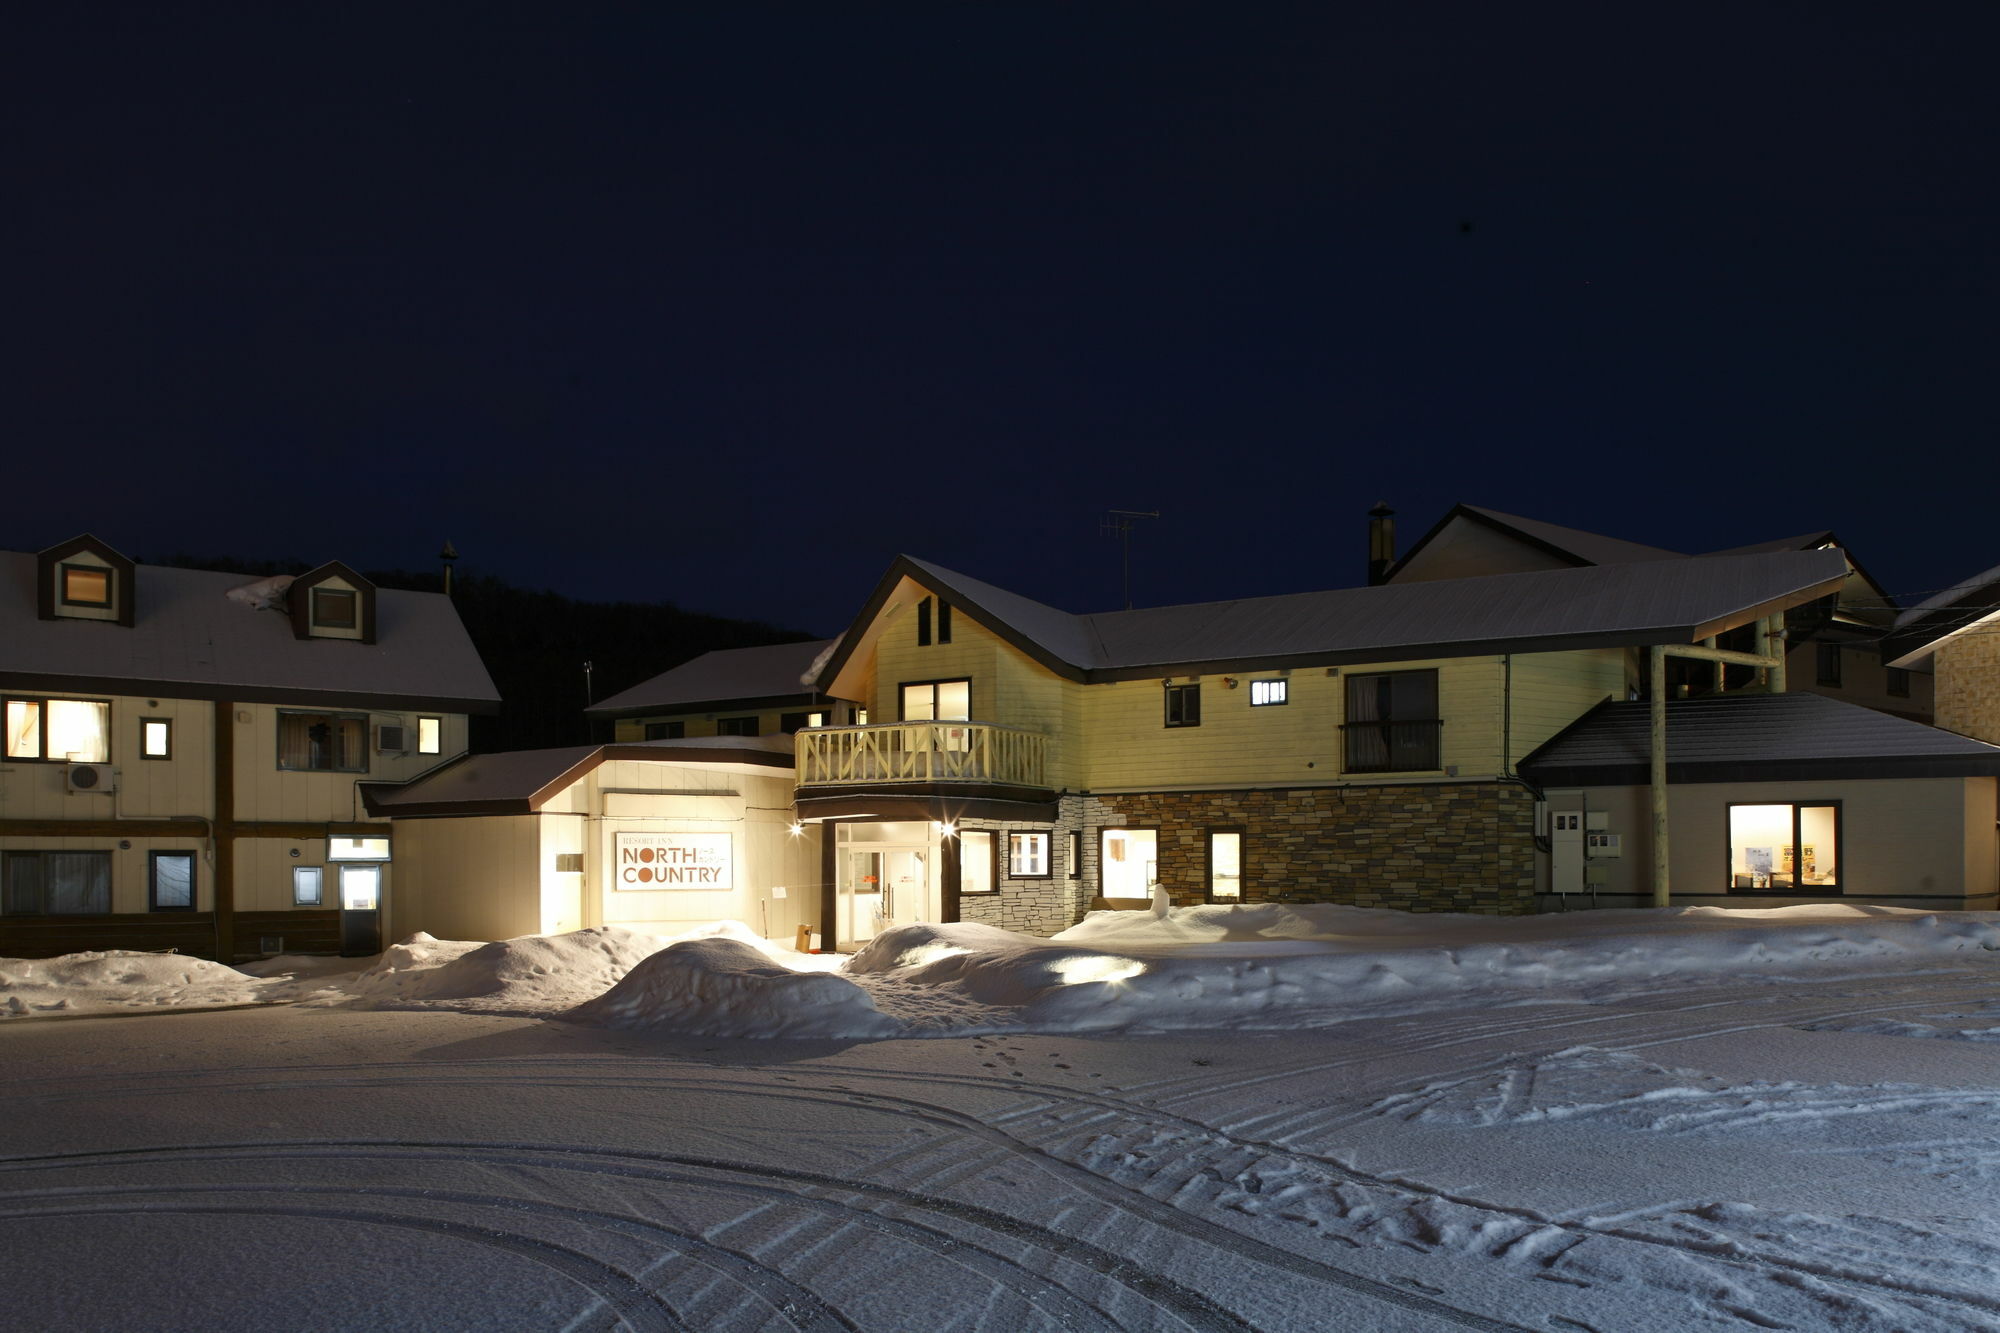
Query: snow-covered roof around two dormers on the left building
point(191, 639)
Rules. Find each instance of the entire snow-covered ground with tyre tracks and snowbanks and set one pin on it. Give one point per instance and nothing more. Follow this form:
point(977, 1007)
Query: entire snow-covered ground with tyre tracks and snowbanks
point(1219, 1118)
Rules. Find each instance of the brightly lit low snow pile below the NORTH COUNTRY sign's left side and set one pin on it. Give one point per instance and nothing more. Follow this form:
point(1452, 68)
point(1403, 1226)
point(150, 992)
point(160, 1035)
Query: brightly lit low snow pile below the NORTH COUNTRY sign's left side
point(527, 976)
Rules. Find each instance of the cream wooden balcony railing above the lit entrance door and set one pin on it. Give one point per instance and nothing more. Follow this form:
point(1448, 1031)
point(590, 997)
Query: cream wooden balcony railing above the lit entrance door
point(923, 754)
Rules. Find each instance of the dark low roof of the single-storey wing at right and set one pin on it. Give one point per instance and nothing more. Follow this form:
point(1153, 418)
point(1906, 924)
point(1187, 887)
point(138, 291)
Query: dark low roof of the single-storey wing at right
point(1749, 740)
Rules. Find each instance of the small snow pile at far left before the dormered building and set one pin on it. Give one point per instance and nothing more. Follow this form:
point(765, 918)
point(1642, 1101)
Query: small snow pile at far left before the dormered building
point(123, 982)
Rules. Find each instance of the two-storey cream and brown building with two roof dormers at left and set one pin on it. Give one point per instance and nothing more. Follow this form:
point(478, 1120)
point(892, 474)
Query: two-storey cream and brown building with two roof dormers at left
point(183, 752)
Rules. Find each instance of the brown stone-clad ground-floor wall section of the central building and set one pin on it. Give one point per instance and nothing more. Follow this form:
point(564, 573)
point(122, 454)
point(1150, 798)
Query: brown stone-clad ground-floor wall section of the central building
point(1421, 848)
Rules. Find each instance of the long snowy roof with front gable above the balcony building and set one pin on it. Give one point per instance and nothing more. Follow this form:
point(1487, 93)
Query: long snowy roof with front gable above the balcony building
point(1635, 603)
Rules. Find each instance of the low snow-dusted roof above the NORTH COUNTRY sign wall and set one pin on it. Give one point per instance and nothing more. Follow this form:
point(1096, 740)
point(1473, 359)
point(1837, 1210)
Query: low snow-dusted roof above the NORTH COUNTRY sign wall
point(525, 782)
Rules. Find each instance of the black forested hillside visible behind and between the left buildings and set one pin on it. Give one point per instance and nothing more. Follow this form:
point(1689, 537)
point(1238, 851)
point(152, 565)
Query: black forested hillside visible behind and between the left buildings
point(537, 645)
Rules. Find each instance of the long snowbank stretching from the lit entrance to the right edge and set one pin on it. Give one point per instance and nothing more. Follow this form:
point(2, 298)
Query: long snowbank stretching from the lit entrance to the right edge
point(1275, 966)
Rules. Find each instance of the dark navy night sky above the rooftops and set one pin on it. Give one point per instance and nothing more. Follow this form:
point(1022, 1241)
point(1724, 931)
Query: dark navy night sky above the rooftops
point(731, 303)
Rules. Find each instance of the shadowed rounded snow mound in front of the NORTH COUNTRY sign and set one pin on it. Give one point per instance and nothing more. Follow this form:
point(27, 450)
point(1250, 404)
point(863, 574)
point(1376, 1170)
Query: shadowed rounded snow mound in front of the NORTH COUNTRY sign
point(723, 988)
